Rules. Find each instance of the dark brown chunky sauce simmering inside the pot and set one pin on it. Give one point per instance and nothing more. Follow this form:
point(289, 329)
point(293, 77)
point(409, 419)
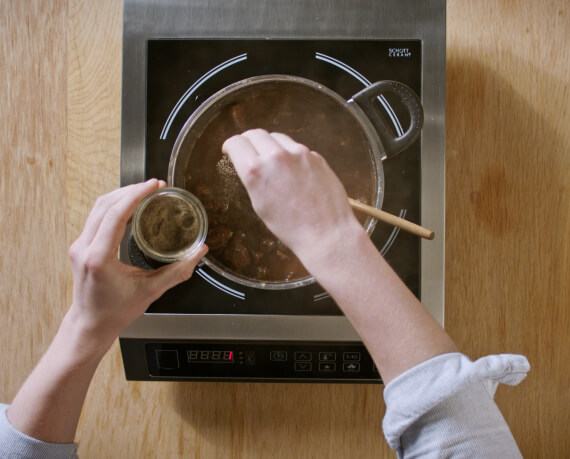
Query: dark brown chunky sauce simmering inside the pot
point(238, 240)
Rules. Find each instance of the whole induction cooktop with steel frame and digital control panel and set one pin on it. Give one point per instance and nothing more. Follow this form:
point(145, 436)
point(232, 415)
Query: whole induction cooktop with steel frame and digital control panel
point(211, 328)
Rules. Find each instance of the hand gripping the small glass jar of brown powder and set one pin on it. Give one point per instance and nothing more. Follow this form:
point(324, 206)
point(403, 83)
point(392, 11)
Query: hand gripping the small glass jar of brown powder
point(108, 295)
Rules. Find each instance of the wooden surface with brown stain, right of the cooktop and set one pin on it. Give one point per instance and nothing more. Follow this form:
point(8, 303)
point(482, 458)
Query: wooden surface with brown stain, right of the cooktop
point(508, 202)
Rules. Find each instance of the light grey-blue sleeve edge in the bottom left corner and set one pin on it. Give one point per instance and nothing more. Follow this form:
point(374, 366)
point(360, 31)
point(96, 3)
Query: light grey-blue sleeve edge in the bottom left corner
point(14, 444)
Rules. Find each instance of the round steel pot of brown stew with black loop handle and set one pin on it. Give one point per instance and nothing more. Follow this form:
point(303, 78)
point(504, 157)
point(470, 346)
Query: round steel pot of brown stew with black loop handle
point(352, 135)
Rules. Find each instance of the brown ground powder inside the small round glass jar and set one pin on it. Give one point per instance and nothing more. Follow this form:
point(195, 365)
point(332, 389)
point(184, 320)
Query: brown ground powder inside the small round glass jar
point(168, 224)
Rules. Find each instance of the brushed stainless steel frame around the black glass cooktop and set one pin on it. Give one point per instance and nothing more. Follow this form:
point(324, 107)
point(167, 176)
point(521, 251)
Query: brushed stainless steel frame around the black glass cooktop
point(300, 19)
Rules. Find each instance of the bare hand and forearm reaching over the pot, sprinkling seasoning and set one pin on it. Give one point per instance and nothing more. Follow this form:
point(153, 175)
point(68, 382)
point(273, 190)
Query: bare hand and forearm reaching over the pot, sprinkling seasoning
point(327, 238)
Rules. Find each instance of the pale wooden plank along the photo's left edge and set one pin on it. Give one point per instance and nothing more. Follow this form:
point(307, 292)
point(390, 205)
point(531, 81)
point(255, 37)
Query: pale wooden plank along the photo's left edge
point(33, 121)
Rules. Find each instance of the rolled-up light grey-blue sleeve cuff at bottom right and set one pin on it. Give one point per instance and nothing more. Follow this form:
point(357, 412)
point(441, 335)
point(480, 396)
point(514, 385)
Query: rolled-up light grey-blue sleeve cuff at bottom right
point(444, 407)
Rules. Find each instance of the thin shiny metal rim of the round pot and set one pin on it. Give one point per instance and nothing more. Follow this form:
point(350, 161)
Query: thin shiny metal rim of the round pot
point(359, 115)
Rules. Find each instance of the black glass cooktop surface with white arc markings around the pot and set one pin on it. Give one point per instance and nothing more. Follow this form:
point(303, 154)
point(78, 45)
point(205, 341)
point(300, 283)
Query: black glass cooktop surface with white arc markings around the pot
point(182, 74)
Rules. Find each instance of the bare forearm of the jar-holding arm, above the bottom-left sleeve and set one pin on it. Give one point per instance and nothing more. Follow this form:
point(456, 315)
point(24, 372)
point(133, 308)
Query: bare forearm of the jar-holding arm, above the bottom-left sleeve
point(49, 404)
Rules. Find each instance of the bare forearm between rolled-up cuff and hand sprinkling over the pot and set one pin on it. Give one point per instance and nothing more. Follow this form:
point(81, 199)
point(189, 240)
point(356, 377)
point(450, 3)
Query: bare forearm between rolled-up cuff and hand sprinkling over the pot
point(397, 330)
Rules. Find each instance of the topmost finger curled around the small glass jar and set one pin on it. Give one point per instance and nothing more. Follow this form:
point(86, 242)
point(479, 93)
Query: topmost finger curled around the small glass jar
point(112, 227)
